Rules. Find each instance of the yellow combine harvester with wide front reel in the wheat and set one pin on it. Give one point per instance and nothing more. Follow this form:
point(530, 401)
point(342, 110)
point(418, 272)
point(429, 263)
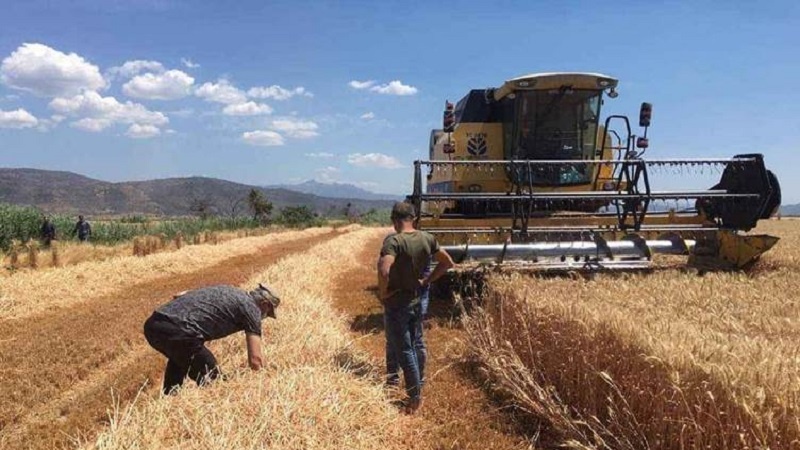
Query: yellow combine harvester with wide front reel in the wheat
point(527, 175)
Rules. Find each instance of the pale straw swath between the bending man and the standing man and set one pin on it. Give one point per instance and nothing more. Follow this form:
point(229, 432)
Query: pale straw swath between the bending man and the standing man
point(306, 398)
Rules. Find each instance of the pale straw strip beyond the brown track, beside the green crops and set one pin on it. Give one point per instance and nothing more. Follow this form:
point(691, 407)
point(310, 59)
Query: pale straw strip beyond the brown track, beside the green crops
point(29, 292)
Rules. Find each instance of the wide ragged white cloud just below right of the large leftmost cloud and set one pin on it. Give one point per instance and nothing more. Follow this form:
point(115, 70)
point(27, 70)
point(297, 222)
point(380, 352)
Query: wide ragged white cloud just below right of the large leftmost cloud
point(97, 112)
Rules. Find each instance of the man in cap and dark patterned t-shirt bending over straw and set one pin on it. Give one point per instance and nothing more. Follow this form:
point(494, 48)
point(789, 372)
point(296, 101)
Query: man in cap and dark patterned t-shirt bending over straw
point(179, 329)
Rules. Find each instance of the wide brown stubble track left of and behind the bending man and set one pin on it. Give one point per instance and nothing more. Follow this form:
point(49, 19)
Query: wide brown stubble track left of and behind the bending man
point(58, 368)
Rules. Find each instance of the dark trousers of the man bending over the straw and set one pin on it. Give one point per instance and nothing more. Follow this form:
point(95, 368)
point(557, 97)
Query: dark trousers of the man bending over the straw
point(187, 355)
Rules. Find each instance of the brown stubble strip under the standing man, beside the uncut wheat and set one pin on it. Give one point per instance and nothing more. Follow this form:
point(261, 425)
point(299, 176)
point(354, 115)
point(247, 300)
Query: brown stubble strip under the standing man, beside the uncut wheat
point(456, 412)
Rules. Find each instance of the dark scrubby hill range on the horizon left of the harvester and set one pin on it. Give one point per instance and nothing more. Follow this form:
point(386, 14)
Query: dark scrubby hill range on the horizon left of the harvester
point(70, 193)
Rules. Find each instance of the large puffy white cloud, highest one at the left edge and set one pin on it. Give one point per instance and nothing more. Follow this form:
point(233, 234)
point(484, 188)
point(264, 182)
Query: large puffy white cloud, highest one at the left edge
point(46, 72)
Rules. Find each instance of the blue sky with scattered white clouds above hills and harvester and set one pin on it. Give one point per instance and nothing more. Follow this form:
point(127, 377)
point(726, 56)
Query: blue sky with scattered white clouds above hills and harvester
point(263, 92)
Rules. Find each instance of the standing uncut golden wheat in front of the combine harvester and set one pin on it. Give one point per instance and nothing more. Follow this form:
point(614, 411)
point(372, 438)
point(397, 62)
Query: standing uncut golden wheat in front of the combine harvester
point(664, 360)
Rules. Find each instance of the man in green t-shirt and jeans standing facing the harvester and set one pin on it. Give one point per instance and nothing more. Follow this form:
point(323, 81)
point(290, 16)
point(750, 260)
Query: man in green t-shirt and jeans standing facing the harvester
point(404, 256)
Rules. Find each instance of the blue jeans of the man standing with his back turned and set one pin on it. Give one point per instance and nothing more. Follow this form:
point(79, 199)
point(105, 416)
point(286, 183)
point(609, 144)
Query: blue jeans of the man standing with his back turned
point(405, 347)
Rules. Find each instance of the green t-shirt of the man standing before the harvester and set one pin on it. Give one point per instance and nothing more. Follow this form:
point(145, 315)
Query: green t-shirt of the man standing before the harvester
point(412, 253)
